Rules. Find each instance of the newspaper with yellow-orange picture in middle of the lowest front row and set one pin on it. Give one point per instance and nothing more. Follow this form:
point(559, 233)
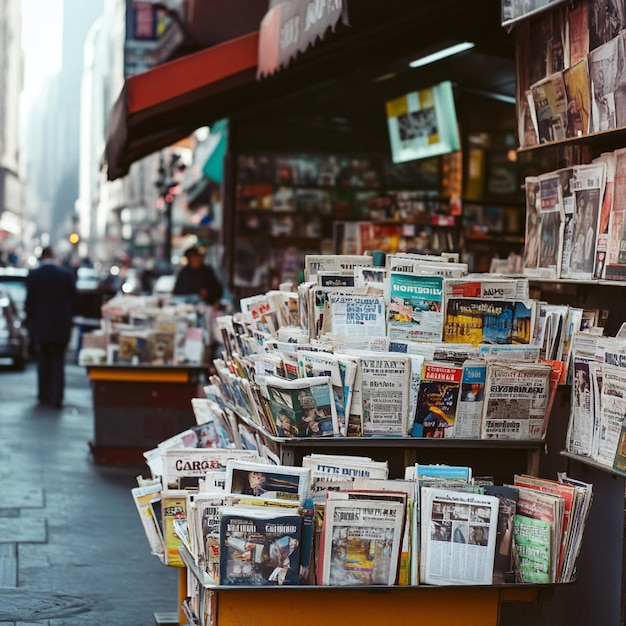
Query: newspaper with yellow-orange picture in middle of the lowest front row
point(361, 541)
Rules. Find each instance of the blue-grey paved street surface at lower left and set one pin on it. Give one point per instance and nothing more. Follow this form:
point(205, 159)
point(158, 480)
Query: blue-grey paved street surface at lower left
point(72, 549)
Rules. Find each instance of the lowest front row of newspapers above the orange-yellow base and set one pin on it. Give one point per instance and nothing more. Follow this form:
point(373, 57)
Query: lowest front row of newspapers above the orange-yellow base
point(235, 518)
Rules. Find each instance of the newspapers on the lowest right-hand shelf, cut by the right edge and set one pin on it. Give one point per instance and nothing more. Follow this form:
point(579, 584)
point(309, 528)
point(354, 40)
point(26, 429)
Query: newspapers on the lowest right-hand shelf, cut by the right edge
point(597, 429)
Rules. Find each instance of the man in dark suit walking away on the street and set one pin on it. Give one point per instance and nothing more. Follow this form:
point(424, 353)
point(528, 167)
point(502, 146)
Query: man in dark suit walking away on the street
point(50, 303)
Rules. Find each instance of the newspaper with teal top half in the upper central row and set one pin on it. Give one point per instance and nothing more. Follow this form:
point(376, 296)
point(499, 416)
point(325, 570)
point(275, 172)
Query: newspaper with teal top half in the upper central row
point(415, 310)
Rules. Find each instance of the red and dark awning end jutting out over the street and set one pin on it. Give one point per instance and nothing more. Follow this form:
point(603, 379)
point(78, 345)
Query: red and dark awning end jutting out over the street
point(161, 106)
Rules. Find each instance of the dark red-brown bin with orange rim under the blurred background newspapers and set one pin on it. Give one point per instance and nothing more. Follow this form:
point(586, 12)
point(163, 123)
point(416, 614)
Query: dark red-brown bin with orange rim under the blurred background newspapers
point(137, 407)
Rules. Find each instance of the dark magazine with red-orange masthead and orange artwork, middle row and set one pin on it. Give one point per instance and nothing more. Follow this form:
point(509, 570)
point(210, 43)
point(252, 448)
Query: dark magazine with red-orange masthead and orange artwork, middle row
point(437, 399)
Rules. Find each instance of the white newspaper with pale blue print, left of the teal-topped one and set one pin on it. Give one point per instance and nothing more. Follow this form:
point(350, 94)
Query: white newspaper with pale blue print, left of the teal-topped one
point(356, 314)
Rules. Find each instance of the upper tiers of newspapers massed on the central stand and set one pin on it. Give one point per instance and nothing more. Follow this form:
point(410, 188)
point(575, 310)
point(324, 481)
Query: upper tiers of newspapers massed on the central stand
point(417, 348)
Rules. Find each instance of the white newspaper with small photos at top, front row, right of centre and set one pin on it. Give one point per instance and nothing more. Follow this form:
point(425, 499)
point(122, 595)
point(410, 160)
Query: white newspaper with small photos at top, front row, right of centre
point(458, 537)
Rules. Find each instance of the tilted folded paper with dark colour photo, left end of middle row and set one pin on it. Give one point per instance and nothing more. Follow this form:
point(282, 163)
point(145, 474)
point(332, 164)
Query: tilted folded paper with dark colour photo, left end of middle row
point(304, 407)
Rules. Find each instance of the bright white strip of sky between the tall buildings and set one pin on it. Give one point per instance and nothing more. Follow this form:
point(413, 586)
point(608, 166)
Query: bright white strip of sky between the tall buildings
point(41, 42)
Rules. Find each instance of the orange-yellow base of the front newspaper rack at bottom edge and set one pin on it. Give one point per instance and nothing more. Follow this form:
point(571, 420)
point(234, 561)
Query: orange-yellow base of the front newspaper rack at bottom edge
point(475, 605)
